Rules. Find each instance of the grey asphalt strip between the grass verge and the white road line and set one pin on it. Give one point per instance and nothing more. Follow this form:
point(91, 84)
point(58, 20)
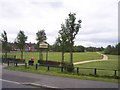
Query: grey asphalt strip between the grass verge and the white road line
point(53, 81)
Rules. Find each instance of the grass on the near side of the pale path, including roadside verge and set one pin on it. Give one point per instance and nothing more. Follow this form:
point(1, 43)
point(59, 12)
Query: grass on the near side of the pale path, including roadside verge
point(88, 74)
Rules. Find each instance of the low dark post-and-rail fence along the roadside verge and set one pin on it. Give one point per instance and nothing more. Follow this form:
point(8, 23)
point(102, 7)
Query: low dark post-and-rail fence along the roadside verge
point(77, 70)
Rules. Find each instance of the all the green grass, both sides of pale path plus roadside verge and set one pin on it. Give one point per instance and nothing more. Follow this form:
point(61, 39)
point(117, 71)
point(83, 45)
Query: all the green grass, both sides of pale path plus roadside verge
point(87, 74)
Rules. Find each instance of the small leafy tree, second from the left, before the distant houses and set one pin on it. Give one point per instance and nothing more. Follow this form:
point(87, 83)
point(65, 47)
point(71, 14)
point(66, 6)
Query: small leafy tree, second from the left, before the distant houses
point(20, 41)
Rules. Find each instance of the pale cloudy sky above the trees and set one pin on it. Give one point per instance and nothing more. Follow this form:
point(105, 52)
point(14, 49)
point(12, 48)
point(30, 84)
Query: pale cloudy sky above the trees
point(99, 25)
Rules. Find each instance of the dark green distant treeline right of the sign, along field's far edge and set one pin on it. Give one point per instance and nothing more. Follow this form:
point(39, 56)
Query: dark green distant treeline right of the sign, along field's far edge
point(113, 50)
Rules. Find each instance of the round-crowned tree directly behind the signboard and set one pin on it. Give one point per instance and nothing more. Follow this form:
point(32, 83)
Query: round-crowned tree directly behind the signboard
point(40, 37)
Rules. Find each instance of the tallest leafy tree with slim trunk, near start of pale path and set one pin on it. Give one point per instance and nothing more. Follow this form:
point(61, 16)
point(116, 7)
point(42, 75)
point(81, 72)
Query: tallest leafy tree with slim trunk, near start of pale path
point(71, 29)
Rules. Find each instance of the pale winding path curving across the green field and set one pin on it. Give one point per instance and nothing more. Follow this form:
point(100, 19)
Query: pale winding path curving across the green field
point(105, 57)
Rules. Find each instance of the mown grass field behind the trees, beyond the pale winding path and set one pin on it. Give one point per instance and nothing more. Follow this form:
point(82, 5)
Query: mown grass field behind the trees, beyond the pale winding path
point(56, 56)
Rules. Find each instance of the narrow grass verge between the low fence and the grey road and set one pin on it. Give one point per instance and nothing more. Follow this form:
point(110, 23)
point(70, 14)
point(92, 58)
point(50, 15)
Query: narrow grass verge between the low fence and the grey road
point(57, 72)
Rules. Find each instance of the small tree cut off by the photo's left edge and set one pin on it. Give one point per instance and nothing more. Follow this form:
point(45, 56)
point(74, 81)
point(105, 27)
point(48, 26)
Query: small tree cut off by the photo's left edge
point(4, 41)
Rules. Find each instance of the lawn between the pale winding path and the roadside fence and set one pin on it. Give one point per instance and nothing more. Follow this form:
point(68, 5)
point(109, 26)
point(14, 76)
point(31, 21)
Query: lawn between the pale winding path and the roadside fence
point(110, 65)
